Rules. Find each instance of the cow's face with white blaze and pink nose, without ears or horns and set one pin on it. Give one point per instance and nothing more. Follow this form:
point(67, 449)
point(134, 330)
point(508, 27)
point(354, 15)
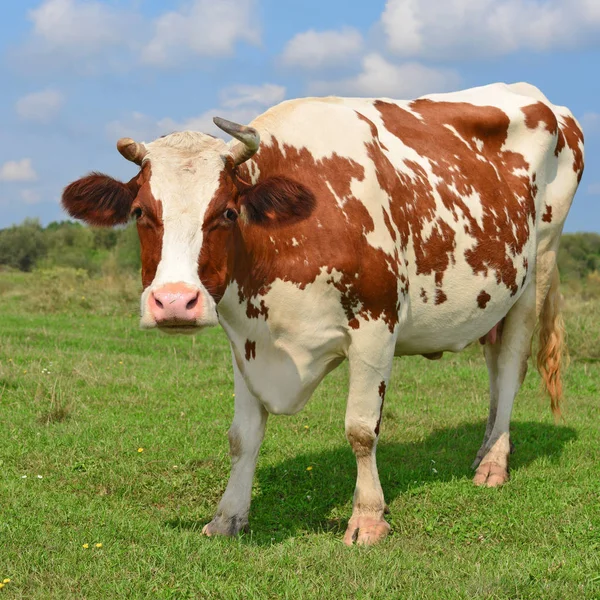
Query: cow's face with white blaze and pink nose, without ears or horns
point(185, 200)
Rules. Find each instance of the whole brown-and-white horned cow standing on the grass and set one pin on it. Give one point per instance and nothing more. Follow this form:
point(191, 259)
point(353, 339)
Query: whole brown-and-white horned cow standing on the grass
point(360, 229)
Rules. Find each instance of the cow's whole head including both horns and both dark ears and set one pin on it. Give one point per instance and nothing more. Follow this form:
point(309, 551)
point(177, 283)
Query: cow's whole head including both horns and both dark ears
point(186, 200)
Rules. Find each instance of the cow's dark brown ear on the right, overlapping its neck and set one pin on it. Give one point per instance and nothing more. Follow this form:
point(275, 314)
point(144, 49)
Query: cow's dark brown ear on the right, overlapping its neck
point(277, 201)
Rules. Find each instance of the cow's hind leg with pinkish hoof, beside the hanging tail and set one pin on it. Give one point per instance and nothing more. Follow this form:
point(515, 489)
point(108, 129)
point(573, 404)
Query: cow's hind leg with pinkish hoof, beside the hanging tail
point(507, 366)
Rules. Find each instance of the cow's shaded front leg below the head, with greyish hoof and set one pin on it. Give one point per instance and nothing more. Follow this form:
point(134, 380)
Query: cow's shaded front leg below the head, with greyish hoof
point(245, 437)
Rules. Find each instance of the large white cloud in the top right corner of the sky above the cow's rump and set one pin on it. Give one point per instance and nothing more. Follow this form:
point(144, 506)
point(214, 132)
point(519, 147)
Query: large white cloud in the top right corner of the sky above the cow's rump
point(447, 29)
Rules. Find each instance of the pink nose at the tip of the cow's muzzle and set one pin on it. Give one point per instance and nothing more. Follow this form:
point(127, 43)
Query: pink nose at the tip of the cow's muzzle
point(175, 304)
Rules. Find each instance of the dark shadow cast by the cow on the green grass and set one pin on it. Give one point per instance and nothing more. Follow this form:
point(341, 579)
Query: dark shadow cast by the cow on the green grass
point(292, 499)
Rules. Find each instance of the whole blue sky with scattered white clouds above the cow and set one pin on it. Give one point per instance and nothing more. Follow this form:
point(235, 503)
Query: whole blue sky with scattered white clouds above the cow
point(79, 74)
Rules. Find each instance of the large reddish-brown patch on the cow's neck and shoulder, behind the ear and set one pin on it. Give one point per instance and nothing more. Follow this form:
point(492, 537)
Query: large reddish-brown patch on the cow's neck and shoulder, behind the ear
point(366, 277)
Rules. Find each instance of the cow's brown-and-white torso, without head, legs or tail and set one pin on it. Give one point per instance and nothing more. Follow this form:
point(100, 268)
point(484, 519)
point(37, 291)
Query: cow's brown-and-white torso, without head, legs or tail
point(438, 270)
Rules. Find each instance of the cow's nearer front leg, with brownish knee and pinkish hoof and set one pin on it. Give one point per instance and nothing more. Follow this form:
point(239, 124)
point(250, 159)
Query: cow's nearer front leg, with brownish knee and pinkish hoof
point(369, 374)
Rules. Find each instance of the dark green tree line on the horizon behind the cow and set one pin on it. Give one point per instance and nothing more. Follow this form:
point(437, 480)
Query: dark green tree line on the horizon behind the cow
point(30, 246)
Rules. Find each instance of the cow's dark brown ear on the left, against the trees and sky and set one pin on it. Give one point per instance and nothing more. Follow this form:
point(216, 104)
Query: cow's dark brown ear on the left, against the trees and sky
point(100, 199)
